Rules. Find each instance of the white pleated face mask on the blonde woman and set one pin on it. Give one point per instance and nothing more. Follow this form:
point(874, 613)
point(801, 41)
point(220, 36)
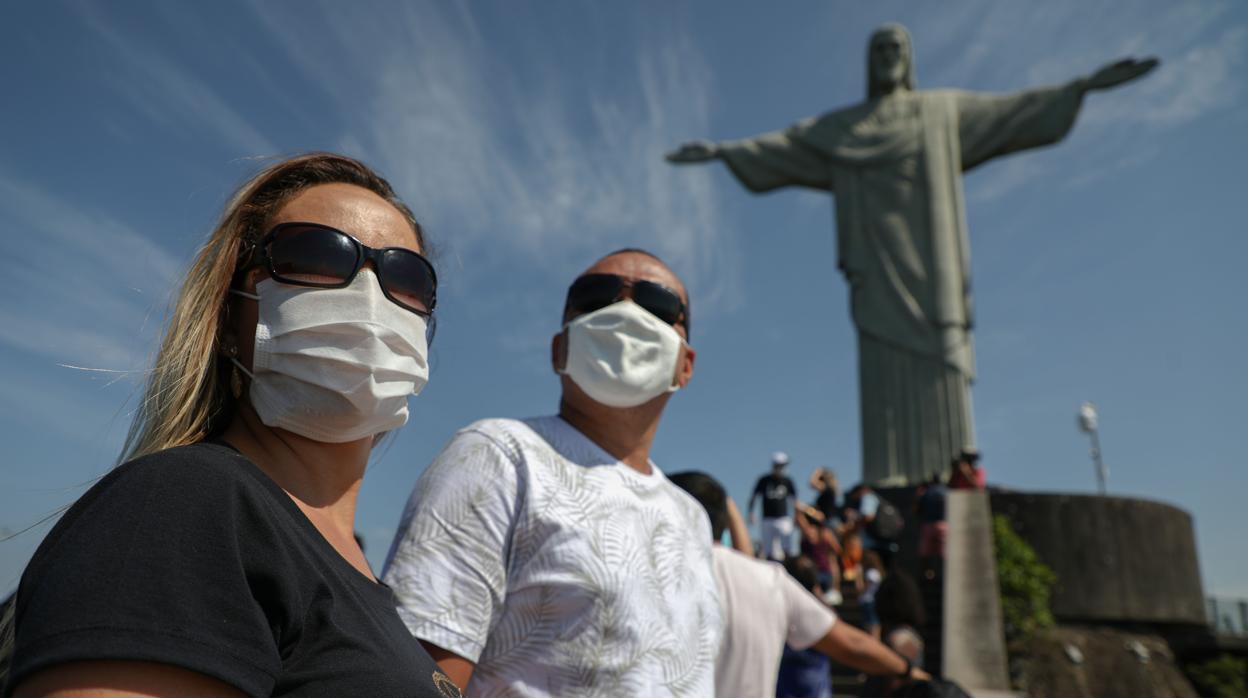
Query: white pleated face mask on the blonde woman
point(335, 365)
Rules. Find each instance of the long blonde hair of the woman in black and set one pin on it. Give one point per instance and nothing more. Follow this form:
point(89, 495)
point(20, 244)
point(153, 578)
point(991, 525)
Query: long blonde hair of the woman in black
point(188, 395)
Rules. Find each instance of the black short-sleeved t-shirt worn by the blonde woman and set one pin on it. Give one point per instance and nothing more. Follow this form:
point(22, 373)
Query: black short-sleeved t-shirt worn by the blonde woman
point(194, 558)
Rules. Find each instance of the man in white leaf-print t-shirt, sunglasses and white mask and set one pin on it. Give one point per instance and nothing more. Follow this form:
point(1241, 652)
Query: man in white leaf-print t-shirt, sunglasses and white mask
point(551, 556)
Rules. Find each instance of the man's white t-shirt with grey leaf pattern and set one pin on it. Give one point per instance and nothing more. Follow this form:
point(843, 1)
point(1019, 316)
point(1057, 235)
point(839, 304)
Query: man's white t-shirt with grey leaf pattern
point(557, 569)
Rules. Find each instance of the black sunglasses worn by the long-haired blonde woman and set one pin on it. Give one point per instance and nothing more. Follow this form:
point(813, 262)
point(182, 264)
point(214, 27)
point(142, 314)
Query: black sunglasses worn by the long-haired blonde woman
point(325, 258)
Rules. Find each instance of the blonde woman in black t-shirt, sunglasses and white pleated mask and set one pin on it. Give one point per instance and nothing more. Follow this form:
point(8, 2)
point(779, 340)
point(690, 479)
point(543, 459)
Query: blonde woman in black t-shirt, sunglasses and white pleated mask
point(219, 559)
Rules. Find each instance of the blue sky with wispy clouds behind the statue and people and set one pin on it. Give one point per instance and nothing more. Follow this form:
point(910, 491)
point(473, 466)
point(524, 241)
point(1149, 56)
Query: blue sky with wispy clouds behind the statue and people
point(529, 137)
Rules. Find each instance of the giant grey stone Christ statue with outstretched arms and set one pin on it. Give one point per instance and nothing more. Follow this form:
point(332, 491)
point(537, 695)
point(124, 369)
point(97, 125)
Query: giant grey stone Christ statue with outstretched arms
point(895, 165)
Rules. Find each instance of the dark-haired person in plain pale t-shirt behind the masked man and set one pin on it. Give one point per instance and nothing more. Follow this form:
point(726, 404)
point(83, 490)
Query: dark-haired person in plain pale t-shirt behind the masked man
point(764, 609)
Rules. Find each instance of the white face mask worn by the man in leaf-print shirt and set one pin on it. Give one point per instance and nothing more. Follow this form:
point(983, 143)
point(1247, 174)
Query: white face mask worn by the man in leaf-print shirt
point(622, 355)
